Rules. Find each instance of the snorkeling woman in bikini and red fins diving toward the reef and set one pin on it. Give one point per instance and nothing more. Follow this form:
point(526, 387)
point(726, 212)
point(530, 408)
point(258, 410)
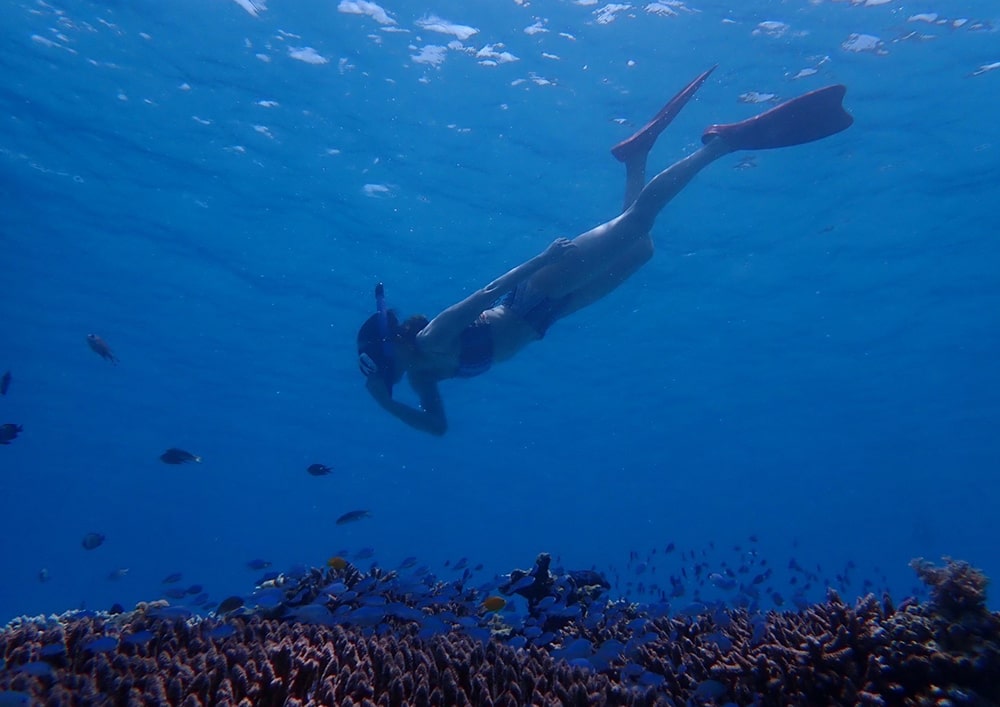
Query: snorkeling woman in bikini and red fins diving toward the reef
point(499, 320)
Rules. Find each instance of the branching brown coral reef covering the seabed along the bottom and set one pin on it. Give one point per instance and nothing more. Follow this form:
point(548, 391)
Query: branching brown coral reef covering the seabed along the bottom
point(942, 652)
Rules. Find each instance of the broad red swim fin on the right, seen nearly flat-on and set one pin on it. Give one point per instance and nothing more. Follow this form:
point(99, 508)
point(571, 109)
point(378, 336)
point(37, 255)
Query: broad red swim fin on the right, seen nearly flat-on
point(811, 116)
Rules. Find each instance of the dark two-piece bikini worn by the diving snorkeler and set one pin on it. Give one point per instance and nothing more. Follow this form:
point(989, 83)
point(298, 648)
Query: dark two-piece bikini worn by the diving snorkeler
point(476, 340)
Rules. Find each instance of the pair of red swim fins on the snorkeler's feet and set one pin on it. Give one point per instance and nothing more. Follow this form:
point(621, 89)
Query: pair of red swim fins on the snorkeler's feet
point(811, 116)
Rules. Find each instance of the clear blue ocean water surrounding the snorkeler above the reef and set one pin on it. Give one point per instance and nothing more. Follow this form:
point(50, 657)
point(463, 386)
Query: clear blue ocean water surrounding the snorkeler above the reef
point(214, 187)
